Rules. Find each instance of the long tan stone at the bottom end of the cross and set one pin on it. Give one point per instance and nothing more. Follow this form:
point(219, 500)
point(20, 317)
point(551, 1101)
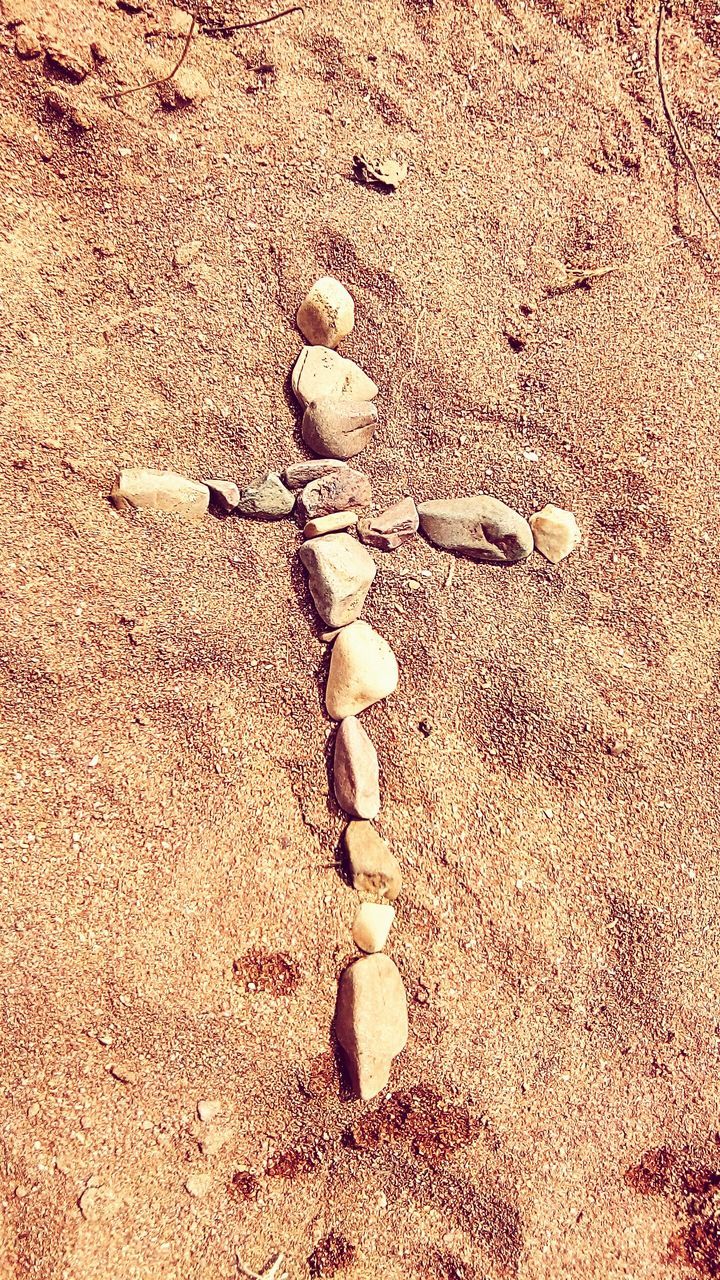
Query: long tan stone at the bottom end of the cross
point(371, 1022)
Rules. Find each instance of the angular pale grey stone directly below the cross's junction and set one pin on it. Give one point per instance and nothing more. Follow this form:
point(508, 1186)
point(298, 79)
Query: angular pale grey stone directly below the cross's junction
point(340, 575)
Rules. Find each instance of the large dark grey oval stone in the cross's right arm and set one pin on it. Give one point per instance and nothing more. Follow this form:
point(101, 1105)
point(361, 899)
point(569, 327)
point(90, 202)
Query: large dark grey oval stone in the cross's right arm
point(481, 528)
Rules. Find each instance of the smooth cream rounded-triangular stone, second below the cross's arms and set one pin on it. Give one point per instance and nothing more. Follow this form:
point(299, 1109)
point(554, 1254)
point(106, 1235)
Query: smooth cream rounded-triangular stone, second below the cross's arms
point(363, 671)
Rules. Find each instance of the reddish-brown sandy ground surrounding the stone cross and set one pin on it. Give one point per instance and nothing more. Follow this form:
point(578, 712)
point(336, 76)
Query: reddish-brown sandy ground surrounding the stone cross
point(550, 760)
